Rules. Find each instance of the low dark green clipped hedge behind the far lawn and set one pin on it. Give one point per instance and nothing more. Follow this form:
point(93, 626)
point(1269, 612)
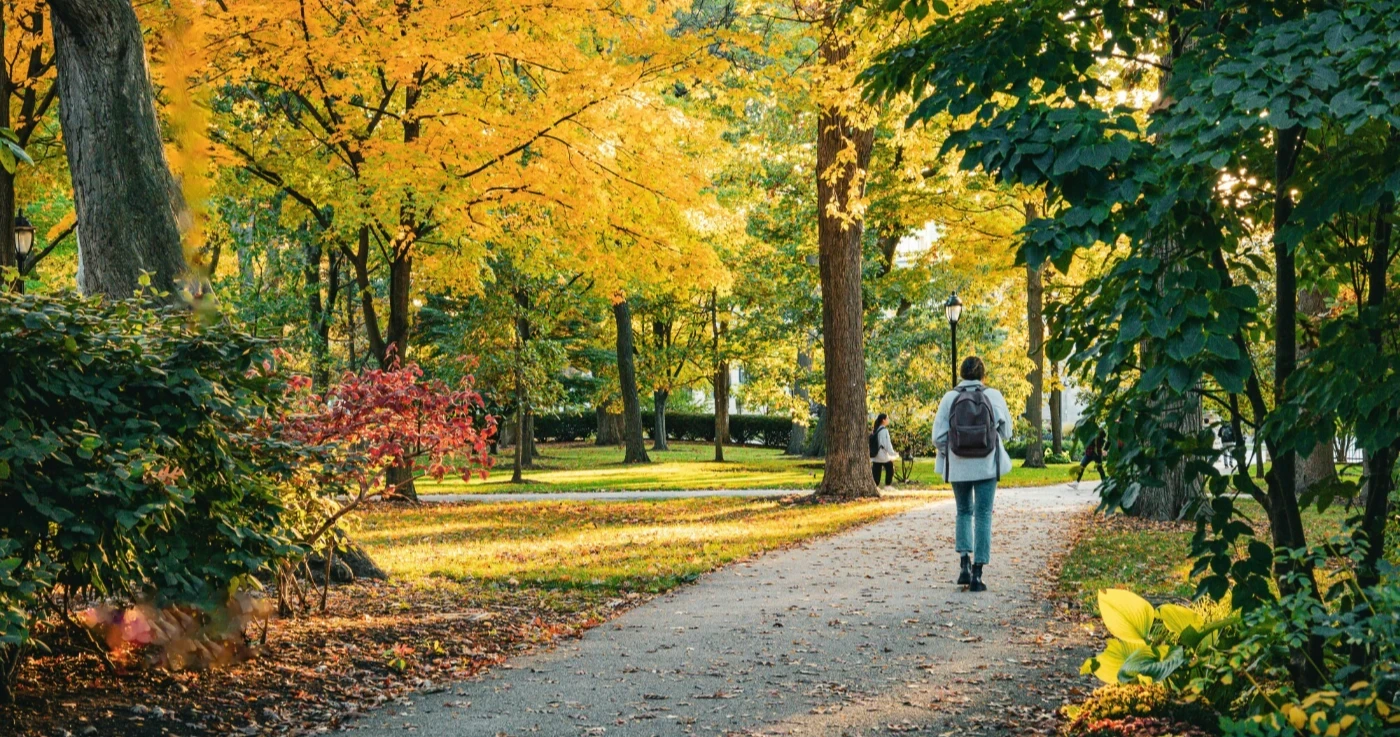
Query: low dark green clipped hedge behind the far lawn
point(771, 432)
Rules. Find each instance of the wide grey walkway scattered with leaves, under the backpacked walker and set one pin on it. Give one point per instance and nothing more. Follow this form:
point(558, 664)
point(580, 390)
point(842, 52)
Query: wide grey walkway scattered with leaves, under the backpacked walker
point(857, 634)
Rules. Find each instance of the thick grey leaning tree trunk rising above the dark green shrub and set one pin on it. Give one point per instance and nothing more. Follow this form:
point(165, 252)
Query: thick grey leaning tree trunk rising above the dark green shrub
point(127, 198)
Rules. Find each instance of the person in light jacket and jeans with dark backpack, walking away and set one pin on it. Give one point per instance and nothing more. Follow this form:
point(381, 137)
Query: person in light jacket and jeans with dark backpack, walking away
point(971, 434)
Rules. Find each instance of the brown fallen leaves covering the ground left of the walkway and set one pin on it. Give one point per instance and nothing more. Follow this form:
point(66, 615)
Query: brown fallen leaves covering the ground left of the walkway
point(380, 642)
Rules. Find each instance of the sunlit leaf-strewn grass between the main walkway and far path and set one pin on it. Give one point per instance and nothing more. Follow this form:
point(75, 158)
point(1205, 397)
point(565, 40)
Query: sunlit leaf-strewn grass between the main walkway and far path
point(597, 549)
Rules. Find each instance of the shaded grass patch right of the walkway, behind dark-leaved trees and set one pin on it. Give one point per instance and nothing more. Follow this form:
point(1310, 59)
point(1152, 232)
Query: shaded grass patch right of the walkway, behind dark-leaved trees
point(1154, 558)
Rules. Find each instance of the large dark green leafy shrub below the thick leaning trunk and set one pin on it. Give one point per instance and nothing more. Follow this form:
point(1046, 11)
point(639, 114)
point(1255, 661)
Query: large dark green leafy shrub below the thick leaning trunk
point(131, 459)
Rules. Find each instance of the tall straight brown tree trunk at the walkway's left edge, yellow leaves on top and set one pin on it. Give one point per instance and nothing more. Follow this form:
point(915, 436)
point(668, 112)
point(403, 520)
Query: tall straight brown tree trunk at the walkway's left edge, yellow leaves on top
point(843, 151)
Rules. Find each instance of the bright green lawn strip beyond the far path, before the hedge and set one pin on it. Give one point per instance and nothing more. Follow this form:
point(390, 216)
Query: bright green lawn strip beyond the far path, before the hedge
point(583, 467)
